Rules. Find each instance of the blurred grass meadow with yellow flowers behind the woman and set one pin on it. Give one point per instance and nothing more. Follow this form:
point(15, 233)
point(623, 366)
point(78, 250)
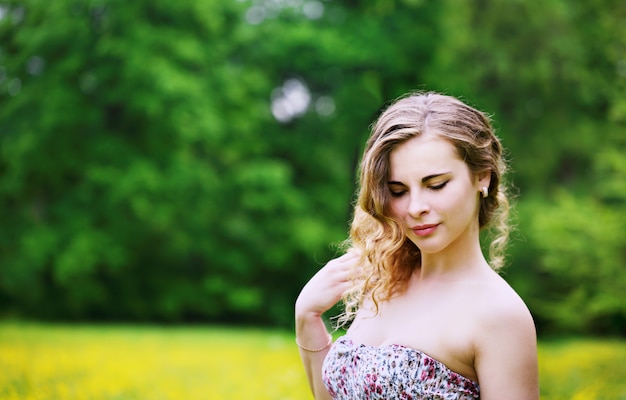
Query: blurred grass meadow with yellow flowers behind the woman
point(39, 361)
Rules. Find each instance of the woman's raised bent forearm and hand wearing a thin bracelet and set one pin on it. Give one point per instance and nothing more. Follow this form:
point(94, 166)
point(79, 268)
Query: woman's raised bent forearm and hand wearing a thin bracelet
point(322, 292)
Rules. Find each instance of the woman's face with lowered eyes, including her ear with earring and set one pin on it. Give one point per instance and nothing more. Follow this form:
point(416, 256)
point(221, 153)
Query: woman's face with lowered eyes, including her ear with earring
point(434, 194)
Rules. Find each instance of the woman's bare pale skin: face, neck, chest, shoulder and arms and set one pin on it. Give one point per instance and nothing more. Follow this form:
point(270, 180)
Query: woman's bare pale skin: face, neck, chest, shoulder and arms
point(455, 308)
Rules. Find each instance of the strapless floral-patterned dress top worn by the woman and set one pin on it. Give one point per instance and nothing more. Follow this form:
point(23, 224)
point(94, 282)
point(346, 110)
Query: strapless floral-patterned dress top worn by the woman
point(357, 371)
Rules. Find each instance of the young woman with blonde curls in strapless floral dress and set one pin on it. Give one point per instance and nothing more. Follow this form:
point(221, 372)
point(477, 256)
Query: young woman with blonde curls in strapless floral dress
point(430, 317)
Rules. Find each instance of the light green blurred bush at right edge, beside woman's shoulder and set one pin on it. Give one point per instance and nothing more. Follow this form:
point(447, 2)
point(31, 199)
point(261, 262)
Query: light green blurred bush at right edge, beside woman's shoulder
point(581, 245)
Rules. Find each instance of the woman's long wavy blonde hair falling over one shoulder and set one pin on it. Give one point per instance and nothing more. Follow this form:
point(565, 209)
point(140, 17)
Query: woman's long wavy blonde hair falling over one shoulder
point(388, 257)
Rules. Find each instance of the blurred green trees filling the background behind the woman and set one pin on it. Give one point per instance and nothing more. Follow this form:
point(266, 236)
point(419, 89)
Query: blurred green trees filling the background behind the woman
point(194, 161)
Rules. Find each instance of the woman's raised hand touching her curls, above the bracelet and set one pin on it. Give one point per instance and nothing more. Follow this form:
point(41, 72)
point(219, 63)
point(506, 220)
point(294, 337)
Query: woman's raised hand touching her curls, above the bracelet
point(327, 286)
